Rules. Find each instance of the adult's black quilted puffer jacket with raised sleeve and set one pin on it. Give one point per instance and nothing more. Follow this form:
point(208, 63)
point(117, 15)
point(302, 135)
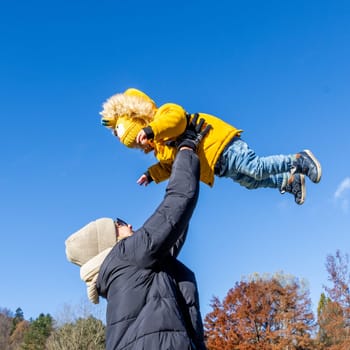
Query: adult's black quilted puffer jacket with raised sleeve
point(152, 299)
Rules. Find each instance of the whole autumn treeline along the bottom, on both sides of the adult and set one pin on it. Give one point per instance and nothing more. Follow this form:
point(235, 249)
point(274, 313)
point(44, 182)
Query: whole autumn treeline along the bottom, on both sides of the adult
point(261, 312)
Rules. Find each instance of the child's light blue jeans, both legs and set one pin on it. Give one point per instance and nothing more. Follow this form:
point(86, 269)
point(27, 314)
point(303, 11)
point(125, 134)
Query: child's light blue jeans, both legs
point(242, 165)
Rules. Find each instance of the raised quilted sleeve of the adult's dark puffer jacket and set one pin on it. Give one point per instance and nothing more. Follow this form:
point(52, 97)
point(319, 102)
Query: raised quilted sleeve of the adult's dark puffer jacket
point(152, 242)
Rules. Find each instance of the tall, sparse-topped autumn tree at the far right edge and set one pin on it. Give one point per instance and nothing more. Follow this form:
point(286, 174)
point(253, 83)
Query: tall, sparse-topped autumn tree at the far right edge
point(334, 309)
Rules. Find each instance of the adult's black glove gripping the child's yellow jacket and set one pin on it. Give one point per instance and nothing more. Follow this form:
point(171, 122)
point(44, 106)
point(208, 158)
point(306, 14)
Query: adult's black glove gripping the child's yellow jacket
point(193, 134)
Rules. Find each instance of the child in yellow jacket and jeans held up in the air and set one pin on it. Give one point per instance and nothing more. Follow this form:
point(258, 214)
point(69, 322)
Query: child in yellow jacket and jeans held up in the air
point(139, 123)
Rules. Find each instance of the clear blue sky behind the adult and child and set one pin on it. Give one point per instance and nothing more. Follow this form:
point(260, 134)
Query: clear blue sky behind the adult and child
point(279, 70)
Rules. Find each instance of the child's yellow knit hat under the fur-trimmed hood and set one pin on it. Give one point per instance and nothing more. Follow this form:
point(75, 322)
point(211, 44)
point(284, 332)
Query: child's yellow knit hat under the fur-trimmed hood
point(127, 130)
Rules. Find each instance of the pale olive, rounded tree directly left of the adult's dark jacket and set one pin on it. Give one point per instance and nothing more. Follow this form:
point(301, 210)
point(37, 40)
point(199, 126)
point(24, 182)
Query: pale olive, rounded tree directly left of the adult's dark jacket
point(84, 334)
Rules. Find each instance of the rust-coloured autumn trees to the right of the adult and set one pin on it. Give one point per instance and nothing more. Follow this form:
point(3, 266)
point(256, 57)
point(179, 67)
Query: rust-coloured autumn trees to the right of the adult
point(275, 313)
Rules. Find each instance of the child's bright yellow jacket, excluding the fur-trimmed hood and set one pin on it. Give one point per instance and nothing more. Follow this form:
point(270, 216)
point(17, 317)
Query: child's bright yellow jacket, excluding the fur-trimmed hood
point(169, 122)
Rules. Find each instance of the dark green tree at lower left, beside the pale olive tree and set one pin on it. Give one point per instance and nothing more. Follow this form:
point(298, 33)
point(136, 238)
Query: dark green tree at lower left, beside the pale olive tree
point(38, 332)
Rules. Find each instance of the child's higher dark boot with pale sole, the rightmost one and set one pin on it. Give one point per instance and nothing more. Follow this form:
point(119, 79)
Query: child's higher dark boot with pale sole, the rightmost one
point(306, 163)
